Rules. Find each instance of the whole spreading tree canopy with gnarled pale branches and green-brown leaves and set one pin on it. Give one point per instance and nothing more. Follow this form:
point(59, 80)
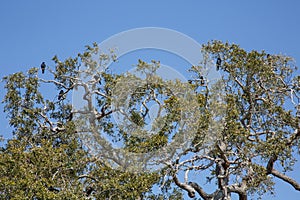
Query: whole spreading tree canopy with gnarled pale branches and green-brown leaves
point(237, 128)
